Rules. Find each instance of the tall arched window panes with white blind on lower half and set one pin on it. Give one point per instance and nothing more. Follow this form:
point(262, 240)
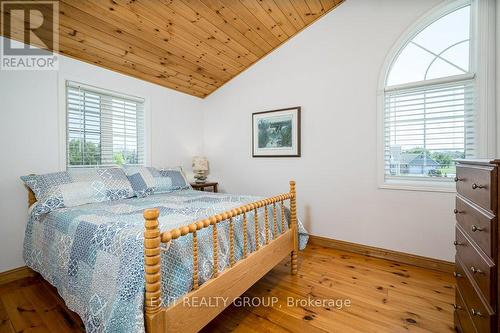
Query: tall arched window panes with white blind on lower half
point(429, 105)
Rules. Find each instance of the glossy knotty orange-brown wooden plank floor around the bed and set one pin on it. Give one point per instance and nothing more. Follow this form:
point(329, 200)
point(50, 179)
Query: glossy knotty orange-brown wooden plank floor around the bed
point(385, 297)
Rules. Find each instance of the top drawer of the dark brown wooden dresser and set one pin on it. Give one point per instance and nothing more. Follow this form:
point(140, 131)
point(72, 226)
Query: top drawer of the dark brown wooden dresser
point(475, 183)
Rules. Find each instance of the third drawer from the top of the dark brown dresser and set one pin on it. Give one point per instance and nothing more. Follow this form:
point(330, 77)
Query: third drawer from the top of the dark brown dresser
point(482, 269)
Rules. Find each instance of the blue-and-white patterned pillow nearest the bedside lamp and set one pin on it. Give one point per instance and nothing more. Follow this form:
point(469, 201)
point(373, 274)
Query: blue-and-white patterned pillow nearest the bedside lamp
point(147, 180)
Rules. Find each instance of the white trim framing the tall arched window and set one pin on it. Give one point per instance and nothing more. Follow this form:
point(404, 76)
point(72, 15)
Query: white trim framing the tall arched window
point(483, 26)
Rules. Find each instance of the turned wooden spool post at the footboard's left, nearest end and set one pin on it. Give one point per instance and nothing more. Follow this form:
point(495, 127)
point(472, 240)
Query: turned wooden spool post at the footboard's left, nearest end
point(152, 242)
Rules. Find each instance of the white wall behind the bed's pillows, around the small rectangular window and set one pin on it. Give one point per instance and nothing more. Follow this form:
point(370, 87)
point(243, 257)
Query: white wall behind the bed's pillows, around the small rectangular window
point(31, 134)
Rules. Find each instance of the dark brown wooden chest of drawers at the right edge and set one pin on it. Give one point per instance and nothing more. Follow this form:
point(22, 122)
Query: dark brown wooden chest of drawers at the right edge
point(476, 243)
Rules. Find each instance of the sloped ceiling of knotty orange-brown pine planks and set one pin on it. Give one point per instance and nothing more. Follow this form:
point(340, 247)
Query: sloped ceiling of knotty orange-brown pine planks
point(193, 46)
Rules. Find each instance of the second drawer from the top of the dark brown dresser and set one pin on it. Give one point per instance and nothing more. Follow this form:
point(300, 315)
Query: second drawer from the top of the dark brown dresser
point(477, 224)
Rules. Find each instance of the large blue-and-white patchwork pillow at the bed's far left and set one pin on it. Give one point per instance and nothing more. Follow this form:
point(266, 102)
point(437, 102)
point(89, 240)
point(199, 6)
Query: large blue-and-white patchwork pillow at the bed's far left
point(77, 187)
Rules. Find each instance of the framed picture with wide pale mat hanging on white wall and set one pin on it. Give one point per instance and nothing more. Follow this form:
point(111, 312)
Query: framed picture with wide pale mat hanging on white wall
point(276, 133)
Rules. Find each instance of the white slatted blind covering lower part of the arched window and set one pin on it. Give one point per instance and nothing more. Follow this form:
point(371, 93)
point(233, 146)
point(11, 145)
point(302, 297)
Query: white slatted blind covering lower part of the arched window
point(423, 123)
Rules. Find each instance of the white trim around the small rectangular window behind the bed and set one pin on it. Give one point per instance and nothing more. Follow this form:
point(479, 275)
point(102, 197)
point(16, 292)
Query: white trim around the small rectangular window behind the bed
point(62, 124)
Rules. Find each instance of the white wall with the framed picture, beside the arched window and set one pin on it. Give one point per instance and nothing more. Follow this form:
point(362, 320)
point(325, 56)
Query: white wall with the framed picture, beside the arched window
point(332, 70)
